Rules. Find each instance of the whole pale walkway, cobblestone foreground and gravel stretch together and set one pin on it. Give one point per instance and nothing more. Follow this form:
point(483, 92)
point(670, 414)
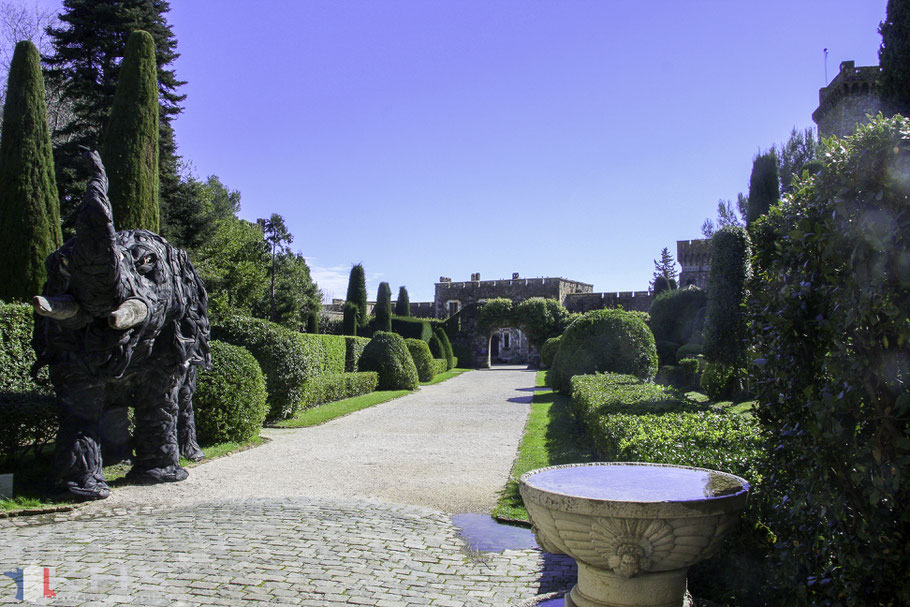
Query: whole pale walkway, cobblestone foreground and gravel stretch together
point(354, 512)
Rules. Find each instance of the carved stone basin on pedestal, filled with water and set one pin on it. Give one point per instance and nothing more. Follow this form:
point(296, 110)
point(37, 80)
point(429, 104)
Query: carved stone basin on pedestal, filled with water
point(633, 528)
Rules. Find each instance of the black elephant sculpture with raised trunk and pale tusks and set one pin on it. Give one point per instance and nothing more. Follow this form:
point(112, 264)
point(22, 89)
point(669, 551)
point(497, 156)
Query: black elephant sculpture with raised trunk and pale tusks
point(121, 323)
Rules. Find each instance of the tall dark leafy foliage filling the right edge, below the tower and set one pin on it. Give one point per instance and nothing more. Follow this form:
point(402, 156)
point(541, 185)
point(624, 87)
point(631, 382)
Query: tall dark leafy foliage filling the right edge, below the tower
point(829, 319)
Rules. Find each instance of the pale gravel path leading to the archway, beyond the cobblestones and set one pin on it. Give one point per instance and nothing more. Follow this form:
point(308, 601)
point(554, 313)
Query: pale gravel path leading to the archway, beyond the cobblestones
point(449, 446)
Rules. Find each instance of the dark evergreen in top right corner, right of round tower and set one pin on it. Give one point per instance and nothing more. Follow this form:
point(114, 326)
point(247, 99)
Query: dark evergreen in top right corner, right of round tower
point(894, 57)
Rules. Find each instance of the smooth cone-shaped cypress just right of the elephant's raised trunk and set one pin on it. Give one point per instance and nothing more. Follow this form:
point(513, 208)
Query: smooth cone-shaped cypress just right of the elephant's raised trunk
point(130, 150)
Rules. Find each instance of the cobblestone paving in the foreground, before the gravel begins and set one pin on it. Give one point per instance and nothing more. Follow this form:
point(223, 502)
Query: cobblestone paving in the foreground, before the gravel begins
point(317, 550)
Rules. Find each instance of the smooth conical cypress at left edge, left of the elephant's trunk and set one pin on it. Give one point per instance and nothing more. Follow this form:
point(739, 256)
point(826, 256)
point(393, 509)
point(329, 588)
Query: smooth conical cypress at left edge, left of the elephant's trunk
point(29, 207)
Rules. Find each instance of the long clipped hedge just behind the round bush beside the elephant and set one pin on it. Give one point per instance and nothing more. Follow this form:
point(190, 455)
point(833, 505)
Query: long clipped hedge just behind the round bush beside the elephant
point(287, 358)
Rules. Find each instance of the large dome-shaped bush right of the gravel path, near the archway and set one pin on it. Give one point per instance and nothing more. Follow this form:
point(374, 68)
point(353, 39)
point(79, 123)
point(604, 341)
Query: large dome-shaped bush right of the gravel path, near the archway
point(609, 340)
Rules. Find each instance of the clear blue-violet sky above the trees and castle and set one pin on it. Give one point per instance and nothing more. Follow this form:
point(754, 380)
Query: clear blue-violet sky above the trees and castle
point(551, 138)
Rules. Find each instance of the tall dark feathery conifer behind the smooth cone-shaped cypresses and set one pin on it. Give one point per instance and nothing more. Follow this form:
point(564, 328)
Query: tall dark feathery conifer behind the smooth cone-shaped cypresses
point(88, 49)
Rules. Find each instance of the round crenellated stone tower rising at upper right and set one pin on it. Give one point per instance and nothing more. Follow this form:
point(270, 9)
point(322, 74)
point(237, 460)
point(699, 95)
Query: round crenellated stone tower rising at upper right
point(845, 102)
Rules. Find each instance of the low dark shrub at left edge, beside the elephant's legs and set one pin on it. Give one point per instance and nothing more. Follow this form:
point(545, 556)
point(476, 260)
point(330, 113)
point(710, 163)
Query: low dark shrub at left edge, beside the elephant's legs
point(28, 422)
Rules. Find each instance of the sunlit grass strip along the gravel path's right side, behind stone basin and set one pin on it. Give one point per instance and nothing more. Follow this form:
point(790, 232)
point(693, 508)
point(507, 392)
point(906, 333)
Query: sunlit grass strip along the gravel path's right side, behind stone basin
point(551, 437)
